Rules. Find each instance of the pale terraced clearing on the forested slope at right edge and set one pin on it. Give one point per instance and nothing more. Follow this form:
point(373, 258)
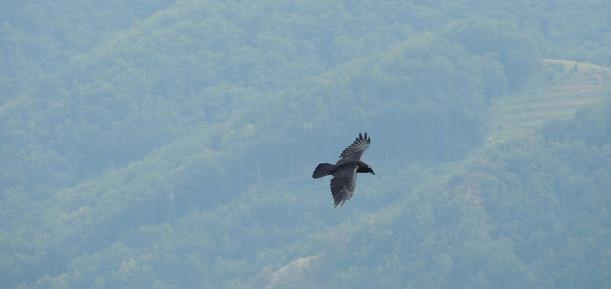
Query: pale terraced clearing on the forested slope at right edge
point(566, 87)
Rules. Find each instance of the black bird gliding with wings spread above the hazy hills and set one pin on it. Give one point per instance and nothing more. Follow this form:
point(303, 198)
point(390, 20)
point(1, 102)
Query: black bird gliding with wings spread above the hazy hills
point(345, 170)
